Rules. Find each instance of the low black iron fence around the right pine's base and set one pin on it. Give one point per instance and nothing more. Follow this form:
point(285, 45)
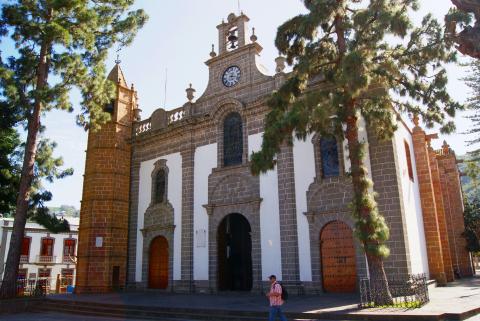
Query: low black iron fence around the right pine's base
point(410, 291)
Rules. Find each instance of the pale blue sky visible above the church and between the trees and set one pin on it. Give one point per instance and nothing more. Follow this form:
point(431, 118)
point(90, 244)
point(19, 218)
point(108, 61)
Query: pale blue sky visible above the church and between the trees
point(178, 37)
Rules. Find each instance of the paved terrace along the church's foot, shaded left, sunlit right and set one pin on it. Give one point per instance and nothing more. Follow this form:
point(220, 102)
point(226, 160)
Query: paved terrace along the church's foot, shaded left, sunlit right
point(457, 297)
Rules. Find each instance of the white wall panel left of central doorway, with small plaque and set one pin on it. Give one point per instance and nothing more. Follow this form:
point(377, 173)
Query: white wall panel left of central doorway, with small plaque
point(205, 161)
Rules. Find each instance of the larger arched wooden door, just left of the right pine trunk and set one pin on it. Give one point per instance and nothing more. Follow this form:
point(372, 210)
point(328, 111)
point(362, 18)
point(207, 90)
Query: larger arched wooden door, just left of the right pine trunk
point(339, 273)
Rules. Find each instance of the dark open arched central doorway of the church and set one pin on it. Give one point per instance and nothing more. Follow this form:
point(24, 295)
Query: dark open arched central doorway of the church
point(234, 254)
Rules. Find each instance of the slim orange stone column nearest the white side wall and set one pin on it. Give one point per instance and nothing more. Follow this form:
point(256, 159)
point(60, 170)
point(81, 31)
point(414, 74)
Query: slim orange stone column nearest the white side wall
point(429, 209)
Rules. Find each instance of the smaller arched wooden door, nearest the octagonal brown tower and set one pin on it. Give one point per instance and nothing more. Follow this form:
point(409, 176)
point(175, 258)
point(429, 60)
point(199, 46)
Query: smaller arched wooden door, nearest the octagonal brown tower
point(158, 263)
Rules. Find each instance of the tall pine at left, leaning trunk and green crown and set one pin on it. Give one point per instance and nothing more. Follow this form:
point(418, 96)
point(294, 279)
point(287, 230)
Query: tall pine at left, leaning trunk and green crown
point(60, 44)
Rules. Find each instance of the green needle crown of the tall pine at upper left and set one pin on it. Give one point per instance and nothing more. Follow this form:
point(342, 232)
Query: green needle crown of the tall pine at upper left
point(78, 35)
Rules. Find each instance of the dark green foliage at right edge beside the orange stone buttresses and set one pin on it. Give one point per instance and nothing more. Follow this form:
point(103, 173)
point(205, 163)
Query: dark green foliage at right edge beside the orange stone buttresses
point(471, 216)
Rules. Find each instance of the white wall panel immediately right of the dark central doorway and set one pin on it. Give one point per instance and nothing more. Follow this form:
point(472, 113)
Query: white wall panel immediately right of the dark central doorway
point(269, 216)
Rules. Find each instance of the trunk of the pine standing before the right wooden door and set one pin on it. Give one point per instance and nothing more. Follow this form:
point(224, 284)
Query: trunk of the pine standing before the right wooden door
point(378, 280)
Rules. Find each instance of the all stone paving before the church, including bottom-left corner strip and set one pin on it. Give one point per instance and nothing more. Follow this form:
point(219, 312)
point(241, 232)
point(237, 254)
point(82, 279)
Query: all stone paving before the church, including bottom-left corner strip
point(458, 301)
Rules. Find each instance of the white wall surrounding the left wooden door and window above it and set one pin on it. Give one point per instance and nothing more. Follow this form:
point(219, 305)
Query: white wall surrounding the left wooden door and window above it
point(174, 164)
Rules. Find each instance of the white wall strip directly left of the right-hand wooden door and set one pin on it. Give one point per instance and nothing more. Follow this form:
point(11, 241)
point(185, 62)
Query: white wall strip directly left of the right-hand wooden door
point(304, 167)
